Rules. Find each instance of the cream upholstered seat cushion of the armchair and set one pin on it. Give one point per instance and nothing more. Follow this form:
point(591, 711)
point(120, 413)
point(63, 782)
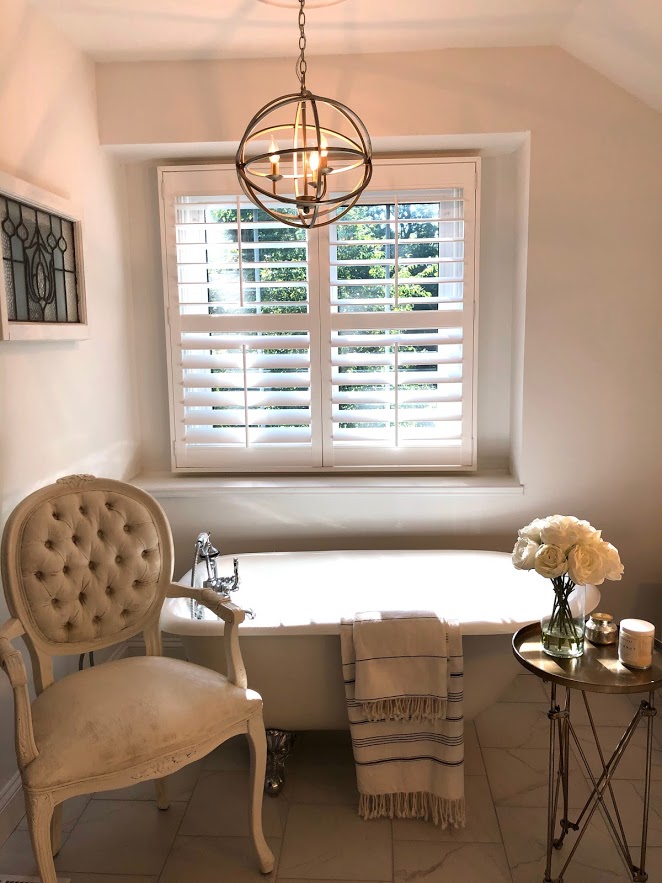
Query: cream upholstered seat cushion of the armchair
point(122, 714)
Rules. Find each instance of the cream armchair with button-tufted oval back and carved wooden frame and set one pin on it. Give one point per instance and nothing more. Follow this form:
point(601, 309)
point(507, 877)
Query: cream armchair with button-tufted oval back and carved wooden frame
point(87, 563)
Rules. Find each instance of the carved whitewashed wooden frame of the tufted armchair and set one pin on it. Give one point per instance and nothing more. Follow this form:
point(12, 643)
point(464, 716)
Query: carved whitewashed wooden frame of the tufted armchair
point(43, 805)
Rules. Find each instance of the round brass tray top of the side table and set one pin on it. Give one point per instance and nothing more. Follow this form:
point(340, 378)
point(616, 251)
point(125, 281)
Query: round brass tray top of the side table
point(598, 670)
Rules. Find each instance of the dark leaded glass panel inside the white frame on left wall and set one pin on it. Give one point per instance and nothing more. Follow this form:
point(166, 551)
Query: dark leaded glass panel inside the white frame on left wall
point(39, 264)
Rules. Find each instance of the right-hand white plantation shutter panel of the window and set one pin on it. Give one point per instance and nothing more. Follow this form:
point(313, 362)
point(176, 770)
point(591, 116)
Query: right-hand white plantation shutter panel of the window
point(400, 329)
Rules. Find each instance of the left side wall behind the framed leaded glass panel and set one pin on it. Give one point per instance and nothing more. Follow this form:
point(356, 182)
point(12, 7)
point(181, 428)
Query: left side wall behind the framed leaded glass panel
point(64, 407)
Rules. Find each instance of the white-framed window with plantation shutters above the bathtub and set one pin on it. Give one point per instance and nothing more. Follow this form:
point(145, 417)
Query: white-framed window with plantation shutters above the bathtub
point(346, 347)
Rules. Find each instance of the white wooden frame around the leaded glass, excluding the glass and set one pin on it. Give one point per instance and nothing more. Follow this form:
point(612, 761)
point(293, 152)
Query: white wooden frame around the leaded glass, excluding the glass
point(18, 330)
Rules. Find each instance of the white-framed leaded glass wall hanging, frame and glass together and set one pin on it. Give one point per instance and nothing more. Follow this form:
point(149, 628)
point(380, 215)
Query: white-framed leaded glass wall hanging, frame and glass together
point(42, 288)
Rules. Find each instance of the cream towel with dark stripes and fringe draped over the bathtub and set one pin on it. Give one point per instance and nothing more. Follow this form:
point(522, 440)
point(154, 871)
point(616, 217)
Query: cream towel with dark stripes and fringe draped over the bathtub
point(411, 765)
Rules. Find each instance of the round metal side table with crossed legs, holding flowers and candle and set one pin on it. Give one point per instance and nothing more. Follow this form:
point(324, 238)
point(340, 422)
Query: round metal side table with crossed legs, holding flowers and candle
point(598, 670)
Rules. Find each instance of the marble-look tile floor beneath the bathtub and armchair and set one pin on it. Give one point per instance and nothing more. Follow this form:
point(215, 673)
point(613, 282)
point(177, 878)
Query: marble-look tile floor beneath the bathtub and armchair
point(315, 834)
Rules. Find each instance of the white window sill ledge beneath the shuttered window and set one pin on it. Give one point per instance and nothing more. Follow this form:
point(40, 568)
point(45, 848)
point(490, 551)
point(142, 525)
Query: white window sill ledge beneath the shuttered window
point(166, 485)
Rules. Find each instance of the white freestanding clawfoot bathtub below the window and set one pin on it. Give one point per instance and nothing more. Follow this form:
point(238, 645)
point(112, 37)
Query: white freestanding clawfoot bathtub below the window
point(292, 647)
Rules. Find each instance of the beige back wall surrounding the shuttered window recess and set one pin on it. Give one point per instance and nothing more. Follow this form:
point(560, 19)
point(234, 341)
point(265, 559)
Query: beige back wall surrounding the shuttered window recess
point(586, 356)
